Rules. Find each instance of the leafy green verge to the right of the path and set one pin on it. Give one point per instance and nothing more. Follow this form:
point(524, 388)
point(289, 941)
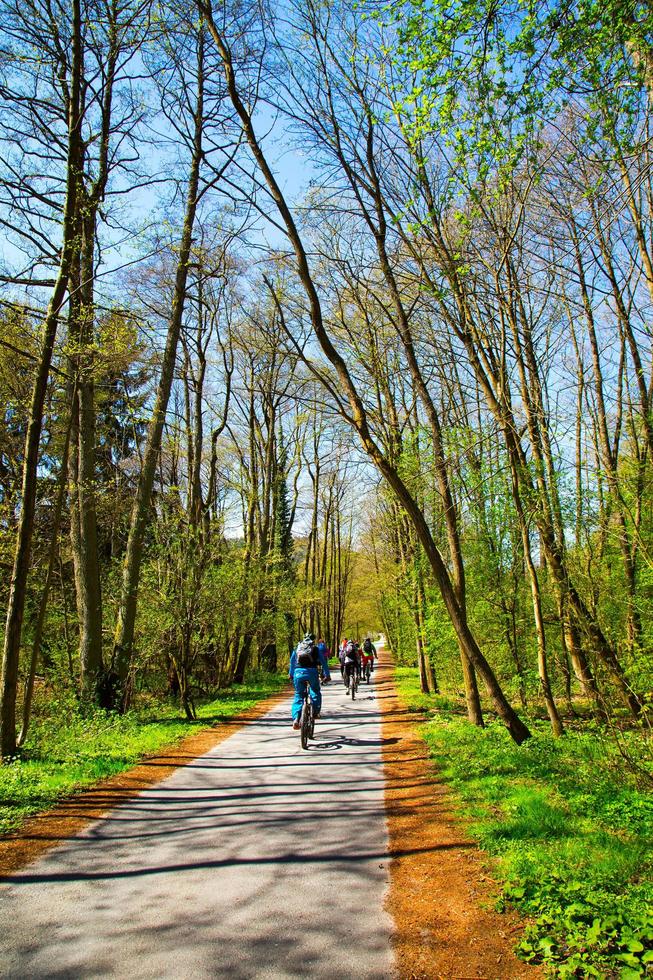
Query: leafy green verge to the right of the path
point(570, 832)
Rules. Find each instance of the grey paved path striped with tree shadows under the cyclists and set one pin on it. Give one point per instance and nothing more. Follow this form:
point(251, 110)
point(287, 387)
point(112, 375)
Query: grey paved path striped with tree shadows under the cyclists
point(256, 860)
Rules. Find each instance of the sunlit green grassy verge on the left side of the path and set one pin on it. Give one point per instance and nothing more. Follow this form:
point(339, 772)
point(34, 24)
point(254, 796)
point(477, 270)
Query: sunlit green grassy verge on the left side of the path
point(66, 751)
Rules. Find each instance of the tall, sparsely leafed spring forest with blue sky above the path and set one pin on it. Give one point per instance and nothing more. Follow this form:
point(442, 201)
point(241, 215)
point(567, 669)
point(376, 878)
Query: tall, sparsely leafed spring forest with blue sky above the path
point(329, 316)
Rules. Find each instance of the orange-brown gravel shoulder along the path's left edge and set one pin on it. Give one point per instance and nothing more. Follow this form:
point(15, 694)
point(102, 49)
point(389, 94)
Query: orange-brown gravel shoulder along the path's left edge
point(52, 827)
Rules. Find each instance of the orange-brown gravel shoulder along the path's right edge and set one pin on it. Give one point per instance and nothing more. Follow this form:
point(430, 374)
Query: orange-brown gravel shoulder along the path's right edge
point(440, 894)
